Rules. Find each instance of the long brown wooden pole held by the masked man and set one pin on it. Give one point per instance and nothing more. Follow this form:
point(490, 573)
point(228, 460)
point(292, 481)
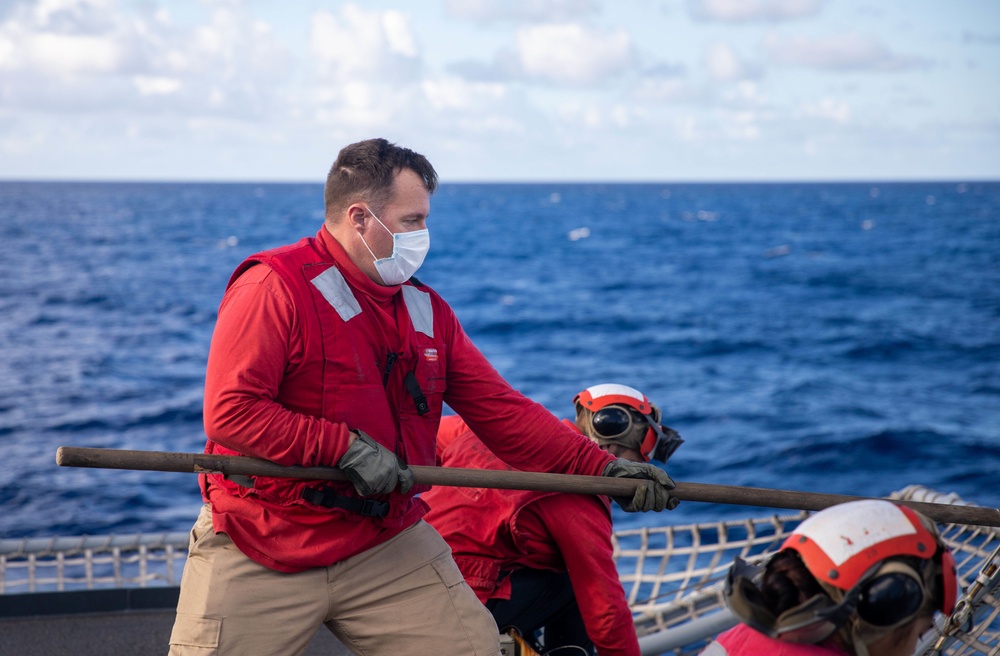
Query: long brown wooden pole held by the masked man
point(200, 463)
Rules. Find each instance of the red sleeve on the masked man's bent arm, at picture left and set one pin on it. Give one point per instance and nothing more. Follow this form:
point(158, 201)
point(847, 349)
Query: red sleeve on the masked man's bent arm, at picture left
point(255, 341)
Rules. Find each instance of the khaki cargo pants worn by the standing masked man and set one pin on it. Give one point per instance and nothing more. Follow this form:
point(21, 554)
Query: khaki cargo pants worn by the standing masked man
point(405, 596)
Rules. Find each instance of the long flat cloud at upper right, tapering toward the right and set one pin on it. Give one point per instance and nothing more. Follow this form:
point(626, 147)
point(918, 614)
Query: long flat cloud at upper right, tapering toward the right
point(845, 52)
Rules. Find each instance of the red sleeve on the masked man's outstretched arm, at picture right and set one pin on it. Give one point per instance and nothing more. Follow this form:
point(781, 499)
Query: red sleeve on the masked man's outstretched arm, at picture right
point(522, 433)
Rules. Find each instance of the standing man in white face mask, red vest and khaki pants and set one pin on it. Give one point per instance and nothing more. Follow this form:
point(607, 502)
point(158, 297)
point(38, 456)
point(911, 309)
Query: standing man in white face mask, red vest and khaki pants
point(328, 352)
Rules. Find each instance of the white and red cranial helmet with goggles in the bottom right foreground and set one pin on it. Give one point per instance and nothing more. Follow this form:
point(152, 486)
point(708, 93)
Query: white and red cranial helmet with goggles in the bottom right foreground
point(879, 565)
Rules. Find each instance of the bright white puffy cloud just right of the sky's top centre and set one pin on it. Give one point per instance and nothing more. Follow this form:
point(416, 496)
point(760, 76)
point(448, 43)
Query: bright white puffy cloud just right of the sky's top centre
point(573, 54)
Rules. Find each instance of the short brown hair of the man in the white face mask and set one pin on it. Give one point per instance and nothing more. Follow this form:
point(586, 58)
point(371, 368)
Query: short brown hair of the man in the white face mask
point(365, 171)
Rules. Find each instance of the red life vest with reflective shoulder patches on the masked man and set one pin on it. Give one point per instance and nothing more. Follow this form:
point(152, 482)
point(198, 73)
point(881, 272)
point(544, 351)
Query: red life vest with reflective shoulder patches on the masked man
point(342, 378)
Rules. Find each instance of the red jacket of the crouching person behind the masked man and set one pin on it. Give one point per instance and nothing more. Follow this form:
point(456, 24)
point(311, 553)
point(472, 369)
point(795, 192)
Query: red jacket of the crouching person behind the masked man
point(494, 532)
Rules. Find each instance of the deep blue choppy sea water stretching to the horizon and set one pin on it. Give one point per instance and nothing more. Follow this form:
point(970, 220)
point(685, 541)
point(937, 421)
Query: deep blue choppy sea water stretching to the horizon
point(838, 338)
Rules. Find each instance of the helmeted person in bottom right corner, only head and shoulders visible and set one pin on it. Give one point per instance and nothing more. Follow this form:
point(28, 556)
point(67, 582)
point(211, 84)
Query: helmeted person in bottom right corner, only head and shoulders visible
point(863, 578)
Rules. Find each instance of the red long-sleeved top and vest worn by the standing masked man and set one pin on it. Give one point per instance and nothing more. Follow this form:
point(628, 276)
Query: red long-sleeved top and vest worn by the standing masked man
point(299, 357)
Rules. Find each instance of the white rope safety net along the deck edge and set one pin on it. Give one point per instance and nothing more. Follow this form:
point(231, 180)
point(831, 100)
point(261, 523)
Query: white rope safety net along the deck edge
point(672, 575)
